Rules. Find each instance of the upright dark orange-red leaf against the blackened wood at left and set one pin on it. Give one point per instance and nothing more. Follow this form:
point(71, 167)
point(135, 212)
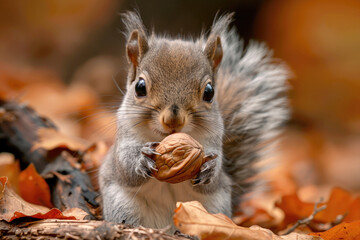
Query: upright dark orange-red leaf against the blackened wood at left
point(33, 188)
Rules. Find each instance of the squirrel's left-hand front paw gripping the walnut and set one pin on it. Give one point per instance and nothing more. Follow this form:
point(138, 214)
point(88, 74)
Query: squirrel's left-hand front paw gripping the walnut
point(146, 163)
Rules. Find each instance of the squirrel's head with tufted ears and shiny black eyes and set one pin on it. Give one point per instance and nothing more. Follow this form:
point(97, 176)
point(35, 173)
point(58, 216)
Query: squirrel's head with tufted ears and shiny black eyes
point(171, 83)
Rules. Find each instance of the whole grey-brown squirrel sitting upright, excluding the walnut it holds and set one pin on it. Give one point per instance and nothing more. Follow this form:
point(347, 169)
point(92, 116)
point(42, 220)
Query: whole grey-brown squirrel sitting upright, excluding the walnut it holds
point(230, 100)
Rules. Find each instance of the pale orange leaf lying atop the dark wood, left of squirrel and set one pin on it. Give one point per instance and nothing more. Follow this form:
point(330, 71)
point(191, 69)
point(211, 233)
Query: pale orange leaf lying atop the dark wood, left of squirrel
point(50, 139)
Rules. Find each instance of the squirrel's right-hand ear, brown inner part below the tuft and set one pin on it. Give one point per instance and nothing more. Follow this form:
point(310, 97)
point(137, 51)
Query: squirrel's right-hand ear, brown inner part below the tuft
point(213, 50)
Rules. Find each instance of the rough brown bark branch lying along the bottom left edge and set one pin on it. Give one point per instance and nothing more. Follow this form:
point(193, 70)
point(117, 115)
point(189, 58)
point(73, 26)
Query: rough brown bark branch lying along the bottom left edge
point(79, 229)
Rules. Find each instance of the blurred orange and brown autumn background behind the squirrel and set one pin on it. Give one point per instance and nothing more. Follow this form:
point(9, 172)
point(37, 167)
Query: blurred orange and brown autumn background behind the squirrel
point(62, 57)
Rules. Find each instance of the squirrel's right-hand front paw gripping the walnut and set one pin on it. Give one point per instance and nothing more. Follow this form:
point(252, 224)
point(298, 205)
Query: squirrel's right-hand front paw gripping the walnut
point(207, 171)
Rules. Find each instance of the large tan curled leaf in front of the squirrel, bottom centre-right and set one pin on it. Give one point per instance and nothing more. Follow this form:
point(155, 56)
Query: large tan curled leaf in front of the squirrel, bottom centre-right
point(192, 218)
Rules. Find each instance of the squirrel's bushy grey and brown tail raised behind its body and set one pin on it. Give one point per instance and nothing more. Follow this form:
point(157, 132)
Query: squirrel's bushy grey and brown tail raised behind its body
point(251, 90)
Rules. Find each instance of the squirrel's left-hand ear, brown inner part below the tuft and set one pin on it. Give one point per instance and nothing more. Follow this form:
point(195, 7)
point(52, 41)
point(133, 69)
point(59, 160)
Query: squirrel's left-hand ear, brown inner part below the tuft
point(136, 47)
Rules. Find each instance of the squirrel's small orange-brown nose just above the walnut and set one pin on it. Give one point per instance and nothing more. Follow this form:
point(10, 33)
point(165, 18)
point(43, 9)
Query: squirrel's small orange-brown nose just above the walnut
point(173, 119)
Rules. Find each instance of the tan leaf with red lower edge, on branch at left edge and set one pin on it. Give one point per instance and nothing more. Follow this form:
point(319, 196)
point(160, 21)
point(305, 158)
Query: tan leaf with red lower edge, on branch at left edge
point(12, 206)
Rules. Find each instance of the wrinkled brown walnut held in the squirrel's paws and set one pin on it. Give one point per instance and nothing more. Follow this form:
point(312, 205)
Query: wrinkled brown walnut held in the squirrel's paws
point(180, 159)
